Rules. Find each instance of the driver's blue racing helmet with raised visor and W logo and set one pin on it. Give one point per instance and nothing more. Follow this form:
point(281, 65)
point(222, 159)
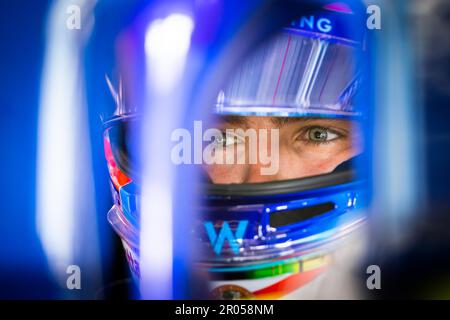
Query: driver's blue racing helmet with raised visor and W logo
point(266, 240)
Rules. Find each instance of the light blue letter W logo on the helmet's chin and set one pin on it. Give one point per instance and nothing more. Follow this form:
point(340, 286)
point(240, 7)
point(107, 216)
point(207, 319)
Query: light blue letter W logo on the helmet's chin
point(234, 240)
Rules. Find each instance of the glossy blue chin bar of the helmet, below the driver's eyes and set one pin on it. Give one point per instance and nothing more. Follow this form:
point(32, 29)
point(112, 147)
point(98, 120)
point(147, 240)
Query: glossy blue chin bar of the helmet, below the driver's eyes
point(281, 219)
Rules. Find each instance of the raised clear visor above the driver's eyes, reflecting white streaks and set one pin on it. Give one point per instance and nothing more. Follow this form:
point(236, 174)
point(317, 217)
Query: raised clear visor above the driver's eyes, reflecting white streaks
point(297, 73)
